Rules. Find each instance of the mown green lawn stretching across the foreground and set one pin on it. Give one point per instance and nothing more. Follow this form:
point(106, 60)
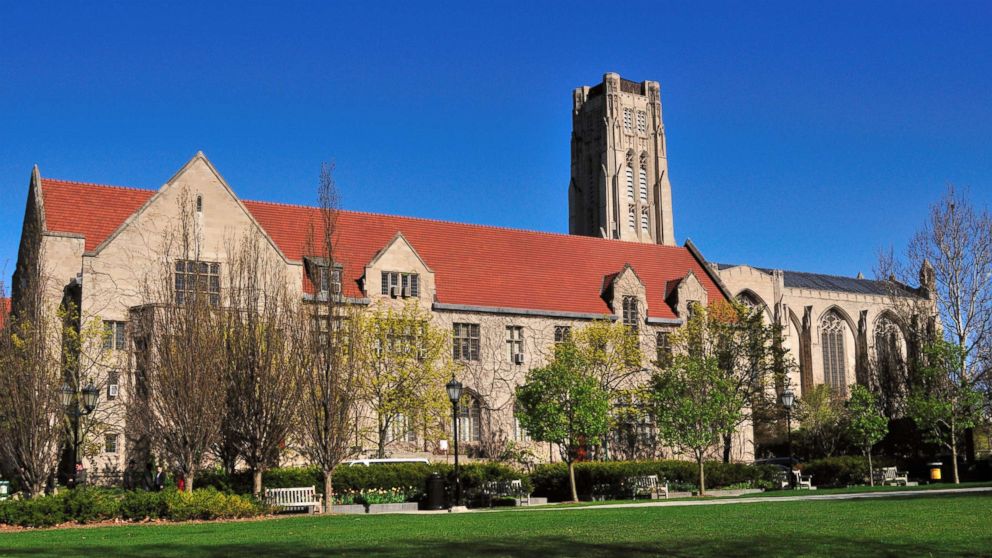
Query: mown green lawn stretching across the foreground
point(957, 525)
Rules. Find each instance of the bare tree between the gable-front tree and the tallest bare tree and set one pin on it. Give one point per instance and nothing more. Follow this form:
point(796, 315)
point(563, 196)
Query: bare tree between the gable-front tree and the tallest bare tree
point(262, 382)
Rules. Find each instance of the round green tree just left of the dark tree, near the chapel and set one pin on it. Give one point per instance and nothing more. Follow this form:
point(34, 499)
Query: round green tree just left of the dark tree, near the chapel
point(695, 403)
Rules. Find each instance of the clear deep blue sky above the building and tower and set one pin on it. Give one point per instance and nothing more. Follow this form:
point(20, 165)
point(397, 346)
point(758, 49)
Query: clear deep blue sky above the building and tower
point(801, 136)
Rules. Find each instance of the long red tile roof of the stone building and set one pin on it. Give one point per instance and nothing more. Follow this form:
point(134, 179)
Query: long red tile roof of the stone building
point(474, 265)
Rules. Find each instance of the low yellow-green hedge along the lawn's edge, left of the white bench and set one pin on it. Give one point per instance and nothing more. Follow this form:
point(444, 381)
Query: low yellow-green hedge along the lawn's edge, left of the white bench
point(91, 504)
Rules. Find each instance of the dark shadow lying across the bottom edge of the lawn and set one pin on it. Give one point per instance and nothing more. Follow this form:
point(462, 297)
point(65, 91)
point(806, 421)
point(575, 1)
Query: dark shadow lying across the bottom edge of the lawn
point(748, 545)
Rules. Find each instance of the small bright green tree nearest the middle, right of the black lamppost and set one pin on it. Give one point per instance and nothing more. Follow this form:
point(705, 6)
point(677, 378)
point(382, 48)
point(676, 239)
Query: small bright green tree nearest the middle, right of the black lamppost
point(563, 404)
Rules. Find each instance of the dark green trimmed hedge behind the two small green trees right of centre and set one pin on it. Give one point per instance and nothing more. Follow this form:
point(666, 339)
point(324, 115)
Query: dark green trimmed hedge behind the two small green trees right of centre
point(551, 480)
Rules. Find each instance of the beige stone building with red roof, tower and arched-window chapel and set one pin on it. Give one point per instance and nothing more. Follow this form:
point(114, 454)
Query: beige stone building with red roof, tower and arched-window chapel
point(506, 295)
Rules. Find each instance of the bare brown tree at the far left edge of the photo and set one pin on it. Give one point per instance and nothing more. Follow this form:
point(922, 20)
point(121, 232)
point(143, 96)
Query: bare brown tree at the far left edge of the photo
point(32, 418)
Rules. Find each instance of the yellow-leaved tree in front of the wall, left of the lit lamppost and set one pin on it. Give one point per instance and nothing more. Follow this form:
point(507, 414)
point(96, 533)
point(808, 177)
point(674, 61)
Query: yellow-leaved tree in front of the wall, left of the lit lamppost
point(403, 358)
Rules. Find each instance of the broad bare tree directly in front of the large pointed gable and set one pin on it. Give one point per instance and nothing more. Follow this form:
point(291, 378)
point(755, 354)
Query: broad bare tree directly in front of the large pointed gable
point(177, 379)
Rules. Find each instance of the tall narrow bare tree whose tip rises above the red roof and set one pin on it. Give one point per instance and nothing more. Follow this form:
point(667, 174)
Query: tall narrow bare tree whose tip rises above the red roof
point(322, 350)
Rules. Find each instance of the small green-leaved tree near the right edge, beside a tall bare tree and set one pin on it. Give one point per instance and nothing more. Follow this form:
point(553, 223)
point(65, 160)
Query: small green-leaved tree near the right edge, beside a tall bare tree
point(944, 401)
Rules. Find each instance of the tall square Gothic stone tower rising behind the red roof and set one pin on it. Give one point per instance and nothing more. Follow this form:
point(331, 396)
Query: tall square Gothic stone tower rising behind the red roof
point(619, 186)
